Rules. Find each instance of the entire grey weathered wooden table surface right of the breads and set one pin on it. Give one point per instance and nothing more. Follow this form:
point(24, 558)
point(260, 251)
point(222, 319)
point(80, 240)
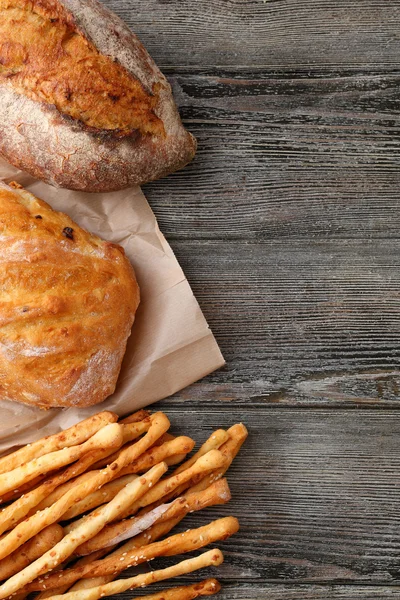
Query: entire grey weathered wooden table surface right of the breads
point(287, 225)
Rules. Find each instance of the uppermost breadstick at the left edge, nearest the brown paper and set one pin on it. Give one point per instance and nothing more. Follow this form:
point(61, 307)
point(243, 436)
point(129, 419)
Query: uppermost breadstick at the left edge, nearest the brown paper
point(75, 435)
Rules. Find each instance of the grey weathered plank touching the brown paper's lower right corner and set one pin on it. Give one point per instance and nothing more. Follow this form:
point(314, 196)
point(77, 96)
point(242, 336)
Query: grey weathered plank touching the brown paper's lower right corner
point(299, 320)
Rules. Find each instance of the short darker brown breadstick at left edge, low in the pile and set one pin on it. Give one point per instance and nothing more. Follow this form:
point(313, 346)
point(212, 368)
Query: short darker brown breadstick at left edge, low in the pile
point(30, 551)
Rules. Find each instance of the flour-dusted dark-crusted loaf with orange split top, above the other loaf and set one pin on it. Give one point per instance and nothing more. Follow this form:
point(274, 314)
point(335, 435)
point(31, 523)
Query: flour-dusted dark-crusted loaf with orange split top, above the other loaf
point(82, 104)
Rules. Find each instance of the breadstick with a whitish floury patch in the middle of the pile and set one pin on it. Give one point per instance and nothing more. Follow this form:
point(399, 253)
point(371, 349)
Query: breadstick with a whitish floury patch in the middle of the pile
point(217, 493)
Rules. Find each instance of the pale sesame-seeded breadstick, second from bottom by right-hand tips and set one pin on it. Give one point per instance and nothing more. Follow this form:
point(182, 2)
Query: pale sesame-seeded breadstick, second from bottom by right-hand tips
point(212, 558)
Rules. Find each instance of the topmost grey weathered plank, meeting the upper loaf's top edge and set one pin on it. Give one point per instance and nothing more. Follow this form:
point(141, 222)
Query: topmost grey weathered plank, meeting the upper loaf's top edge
point(293, 33)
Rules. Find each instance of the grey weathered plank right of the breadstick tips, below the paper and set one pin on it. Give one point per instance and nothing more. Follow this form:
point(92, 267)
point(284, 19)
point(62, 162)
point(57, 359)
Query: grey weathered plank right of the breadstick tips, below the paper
point(316, 492)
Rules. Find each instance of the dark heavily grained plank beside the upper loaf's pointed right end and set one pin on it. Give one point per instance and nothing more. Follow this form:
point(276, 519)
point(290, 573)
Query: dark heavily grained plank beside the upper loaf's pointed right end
point(286, 155)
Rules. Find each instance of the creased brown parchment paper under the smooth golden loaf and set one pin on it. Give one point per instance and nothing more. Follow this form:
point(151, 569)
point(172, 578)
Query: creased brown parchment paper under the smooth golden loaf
point(171, 345)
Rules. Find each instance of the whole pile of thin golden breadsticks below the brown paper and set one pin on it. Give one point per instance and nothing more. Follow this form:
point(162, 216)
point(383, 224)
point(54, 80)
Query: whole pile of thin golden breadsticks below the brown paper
point(81, 506)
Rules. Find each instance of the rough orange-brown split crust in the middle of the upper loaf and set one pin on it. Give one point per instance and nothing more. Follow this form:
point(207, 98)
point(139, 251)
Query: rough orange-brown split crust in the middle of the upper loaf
point(44, 56)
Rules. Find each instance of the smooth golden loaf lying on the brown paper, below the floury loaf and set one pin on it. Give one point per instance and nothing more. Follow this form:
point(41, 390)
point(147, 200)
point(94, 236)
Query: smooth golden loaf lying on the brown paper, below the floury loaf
point(67, 304)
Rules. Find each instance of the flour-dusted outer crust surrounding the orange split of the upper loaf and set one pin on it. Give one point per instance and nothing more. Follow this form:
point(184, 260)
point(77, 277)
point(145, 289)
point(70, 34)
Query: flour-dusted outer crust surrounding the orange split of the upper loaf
point(39, 138)
